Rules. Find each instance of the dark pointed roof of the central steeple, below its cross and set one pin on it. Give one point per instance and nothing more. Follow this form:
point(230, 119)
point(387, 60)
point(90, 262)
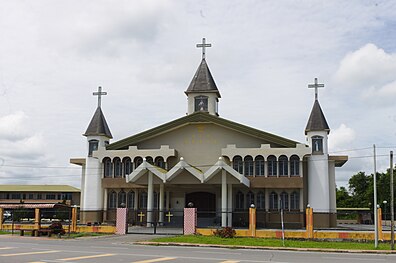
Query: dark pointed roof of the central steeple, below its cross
point(203, 80)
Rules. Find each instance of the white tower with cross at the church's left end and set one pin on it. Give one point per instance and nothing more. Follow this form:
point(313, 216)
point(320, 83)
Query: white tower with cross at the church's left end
point(98, 135)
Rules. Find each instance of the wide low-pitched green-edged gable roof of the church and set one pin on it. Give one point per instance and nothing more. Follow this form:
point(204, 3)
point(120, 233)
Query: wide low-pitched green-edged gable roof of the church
point(200, 117)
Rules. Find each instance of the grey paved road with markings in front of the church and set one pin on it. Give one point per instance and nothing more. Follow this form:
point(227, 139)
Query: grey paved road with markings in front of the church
point(121, 249)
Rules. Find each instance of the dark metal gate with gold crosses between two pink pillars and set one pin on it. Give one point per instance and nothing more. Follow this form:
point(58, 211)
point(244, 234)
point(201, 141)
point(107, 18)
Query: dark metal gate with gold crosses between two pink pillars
point(160, 222)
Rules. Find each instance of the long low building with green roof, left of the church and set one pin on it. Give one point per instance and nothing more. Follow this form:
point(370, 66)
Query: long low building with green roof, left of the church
point(49, 194)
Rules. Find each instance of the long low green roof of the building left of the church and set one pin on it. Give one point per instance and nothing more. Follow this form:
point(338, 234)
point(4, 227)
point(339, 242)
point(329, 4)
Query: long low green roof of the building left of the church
point(38, 188)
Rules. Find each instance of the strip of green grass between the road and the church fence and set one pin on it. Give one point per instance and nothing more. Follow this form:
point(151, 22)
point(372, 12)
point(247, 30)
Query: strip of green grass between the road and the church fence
point(270, 242)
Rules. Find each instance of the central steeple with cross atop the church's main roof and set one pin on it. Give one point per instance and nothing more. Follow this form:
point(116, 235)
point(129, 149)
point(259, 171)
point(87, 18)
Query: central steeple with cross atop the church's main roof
point(202, 94)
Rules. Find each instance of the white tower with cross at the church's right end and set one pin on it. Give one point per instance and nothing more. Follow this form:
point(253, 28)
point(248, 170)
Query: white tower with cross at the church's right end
point(320, 181)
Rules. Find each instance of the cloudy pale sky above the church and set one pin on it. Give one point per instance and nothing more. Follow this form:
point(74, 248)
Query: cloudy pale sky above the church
point(54, 54)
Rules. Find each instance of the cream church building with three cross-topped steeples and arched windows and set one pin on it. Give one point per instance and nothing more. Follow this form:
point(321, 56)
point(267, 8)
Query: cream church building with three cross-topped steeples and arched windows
point(219, 166)
